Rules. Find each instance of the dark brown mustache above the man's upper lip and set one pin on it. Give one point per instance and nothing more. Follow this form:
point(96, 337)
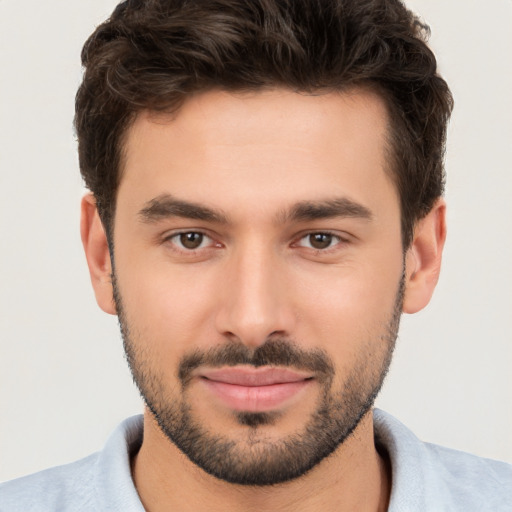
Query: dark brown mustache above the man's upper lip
point(274, 352)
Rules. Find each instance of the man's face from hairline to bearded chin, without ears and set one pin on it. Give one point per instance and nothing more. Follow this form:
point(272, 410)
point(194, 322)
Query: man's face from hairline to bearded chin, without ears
point(259, 275)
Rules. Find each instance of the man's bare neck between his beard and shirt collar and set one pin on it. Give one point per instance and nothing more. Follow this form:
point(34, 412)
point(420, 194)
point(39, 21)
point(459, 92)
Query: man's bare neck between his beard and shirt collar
point(354, 477)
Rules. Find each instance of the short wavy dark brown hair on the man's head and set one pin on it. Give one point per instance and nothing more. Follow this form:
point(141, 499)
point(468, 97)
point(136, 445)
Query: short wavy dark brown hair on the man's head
point(153, 54)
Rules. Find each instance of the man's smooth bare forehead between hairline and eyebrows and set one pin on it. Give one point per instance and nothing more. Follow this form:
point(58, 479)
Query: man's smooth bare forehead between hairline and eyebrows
point(269, 146)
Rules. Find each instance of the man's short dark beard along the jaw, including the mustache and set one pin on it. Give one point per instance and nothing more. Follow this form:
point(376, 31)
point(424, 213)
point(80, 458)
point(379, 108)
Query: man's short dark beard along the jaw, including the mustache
point(256, 459)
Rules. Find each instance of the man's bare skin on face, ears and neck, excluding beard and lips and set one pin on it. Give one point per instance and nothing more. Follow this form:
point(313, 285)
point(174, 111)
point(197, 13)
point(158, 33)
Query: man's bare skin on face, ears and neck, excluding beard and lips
point(253, 157)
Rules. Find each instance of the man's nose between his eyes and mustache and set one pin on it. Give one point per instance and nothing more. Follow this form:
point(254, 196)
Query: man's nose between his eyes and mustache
point(255, 301)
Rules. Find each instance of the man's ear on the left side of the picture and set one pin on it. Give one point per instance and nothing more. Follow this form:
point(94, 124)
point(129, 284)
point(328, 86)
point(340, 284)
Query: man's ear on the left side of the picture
point(94, 240)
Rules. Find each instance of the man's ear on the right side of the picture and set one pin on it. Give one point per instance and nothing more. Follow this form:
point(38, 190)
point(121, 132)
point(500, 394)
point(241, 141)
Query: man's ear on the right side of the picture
point(423, 258)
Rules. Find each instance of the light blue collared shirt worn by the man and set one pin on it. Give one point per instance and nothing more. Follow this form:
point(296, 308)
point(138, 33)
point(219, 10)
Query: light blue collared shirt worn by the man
point(425, 477)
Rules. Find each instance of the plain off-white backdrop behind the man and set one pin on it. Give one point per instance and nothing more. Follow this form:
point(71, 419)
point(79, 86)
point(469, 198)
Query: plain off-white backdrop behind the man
point(64, 384)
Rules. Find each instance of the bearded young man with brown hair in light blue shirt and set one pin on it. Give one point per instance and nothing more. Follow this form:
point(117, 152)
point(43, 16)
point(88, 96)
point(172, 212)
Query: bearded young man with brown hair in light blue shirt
point(266, 199)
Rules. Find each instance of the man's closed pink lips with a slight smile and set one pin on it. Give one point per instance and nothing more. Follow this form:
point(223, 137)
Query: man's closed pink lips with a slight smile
point(255, 389)
